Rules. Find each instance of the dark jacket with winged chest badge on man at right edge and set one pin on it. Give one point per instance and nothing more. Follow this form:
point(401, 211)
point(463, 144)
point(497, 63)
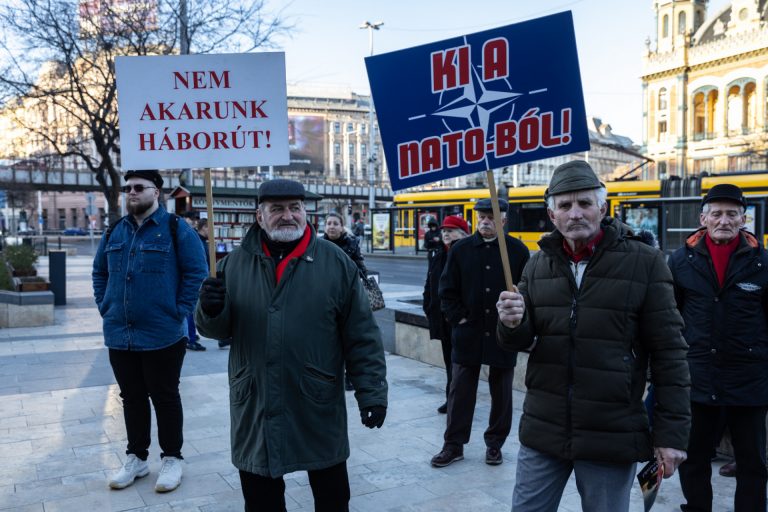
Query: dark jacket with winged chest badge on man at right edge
point(726, 328)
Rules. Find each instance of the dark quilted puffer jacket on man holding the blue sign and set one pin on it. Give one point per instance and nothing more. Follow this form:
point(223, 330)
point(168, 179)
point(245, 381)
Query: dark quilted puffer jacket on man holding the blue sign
point(587, 372)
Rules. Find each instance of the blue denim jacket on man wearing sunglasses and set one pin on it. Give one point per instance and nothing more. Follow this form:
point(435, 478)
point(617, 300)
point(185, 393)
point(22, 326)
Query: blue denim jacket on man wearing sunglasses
point(144, 287)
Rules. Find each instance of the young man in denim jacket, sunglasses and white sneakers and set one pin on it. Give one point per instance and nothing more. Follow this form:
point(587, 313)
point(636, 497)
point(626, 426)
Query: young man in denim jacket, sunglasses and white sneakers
point(146, 276)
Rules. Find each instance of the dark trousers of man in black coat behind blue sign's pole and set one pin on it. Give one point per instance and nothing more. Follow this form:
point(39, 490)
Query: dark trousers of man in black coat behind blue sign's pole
point(461, 405)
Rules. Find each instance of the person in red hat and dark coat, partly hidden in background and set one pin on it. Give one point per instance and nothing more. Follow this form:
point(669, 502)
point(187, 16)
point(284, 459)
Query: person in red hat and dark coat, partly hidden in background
point(454, 228)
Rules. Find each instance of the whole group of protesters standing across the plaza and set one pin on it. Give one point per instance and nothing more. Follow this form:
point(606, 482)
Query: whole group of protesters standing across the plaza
point(600, 311)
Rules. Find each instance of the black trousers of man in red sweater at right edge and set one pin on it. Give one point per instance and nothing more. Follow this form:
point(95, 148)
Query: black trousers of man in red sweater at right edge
point(747, 427)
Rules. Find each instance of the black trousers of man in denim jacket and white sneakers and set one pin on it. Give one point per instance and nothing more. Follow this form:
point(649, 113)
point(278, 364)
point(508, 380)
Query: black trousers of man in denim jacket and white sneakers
point(153, 374)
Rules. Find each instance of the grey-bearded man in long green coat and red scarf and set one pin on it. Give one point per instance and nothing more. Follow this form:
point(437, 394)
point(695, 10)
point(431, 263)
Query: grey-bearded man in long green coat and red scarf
point(297, 314)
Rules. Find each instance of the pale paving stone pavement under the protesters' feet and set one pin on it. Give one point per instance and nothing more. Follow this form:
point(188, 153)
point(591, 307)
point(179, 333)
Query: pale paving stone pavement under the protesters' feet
point(62, 432)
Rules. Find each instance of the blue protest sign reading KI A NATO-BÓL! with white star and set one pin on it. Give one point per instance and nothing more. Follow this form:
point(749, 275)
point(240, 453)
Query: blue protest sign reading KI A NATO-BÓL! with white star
point(480, 101)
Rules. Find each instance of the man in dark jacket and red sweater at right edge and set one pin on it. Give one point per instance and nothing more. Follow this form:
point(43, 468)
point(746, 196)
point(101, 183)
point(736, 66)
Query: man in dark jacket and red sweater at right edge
point(721, 286)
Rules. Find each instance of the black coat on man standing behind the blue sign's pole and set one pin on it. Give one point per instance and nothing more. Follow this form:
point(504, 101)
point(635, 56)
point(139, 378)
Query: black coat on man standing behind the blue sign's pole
point(469, 287)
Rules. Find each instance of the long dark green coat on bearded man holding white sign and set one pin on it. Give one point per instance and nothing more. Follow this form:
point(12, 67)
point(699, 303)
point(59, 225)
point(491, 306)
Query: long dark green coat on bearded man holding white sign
point(290, 342)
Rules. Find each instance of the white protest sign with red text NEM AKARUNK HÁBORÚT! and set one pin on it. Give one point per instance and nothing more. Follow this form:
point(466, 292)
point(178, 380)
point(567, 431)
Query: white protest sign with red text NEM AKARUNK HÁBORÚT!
point(181, 111)
